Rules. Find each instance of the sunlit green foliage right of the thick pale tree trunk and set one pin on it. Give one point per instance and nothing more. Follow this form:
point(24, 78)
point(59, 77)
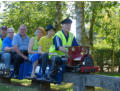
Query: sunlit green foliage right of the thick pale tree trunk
point(104, 21)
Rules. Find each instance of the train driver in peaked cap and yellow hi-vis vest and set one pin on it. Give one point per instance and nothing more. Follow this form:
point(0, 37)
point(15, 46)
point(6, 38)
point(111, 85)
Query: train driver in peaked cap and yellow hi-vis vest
point(58, 50)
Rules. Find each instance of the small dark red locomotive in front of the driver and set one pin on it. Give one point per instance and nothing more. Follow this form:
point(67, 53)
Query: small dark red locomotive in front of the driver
point(80, 60)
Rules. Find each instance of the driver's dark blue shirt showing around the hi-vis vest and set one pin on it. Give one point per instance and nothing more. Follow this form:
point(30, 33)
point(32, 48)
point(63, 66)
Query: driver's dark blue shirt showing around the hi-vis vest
point(58, 42)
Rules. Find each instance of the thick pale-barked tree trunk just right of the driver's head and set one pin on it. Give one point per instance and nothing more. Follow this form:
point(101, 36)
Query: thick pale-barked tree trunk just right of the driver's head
point(80, 27)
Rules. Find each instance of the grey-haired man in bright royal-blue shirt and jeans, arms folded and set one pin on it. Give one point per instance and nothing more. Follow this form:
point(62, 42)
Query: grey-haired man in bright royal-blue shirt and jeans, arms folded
point(7, 48)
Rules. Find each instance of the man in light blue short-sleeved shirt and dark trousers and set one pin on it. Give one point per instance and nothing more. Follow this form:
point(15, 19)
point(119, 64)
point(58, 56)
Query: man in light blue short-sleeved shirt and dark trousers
point(20, 45)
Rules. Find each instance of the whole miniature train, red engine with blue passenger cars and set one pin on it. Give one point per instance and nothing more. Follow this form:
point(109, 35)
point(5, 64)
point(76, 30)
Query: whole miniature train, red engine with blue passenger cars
point(78, 59)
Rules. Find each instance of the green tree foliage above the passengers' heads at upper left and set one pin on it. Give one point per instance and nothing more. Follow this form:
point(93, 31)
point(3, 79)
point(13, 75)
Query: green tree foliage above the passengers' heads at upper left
point(33, 14)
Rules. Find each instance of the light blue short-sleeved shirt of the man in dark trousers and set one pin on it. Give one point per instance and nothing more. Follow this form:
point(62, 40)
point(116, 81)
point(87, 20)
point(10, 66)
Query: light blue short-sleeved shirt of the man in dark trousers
point(21, 43)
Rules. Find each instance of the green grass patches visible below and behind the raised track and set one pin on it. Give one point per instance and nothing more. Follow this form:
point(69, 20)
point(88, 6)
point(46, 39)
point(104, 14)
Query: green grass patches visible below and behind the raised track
point(63, 87)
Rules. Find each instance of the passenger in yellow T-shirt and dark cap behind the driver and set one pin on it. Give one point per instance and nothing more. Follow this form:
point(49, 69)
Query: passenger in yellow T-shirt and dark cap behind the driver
point(44, 45)
